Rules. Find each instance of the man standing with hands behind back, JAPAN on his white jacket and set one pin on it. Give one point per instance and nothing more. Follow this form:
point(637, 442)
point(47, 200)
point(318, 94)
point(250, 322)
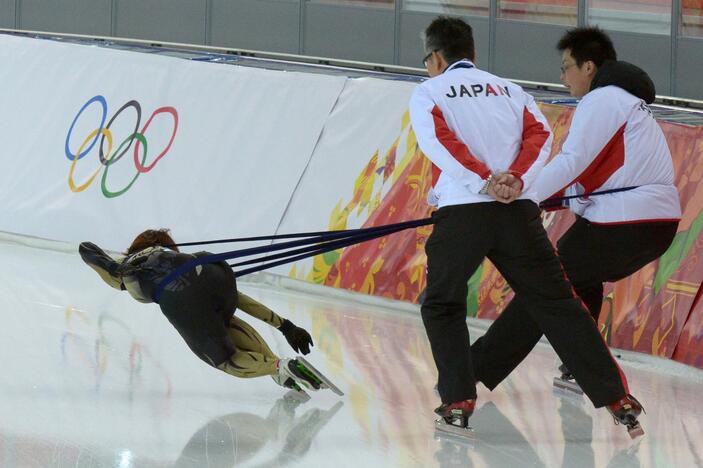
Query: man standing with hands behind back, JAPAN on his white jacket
point(477, 129)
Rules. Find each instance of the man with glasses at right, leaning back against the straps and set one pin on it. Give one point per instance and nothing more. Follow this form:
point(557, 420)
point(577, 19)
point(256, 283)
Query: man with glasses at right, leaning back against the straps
point(614, 144)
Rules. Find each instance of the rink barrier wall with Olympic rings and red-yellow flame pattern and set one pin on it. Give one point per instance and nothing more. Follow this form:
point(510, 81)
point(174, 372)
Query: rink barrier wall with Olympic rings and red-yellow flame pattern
point(216, 138)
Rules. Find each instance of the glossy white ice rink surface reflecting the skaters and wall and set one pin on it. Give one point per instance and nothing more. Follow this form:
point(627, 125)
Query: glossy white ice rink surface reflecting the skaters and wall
point(91, 378)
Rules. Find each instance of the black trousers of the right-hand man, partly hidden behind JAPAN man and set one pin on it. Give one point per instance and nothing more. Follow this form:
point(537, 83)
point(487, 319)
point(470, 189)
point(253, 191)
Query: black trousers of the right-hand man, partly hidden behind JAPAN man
point(591, 254)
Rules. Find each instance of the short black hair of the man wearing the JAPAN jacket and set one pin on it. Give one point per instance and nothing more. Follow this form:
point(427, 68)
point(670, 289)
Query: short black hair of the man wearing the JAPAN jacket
point(452, 37)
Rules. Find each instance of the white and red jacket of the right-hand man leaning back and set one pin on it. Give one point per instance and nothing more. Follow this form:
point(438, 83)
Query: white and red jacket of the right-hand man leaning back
point(614, 141)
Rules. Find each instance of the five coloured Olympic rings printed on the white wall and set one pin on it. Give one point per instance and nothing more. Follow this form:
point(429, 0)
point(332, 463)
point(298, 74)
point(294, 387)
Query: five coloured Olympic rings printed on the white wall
point(108, 158)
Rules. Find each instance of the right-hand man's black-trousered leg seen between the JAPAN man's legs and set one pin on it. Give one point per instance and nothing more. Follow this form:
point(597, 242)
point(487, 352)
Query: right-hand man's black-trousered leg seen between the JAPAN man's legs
point(493, 361)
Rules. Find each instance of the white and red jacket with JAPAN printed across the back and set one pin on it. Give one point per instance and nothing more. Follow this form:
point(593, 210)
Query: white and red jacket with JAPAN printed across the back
point(471, 124)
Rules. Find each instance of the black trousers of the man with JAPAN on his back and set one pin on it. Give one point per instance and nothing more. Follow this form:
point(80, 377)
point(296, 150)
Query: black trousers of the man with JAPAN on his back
point(513, 238)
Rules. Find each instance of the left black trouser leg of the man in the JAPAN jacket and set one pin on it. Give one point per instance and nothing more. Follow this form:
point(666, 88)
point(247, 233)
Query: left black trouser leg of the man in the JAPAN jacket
point(454, 250)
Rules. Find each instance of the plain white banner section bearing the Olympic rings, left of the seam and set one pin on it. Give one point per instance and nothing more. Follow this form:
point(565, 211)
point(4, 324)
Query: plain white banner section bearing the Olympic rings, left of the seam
point(101, 144)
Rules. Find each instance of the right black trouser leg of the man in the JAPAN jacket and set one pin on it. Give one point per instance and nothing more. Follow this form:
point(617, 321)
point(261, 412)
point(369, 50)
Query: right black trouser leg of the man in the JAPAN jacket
point(527, 260)
